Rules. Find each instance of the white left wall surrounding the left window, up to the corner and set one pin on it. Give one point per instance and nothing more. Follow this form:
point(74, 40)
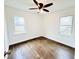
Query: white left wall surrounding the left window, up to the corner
point(32, 25)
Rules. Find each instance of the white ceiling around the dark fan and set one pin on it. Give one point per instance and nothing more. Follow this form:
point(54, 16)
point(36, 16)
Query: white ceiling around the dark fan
point(26, 4)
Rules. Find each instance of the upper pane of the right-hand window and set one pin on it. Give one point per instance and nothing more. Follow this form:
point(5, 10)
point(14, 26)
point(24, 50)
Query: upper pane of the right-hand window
point(66, 20)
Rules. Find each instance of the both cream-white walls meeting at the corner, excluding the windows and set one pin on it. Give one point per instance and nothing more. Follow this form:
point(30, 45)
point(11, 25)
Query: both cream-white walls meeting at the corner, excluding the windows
point(46, 24)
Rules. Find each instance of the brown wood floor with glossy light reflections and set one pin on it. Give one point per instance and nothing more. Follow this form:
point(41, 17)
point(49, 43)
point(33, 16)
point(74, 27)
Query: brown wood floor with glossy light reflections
point(41, 48)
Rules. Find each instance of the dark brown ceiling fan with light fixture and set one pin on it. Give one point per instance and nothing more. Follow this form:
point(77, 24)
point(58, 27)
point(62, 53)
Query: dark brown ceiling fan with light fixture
point(41, 6)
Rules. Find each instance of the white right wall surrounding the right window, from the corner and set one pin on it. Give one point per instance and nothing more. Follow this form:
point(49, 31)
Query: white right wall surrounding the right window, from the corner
point(52, 27)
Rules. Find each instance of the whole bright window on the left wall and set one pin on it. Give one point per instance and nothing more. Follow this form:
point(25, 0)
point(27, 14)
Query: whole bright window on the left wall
point(19, 25)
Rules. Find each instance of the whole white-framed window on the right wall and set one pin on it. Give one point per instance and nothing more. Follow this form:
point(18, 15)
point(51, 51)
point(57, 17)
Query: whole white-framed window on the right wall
point(66, 25)
